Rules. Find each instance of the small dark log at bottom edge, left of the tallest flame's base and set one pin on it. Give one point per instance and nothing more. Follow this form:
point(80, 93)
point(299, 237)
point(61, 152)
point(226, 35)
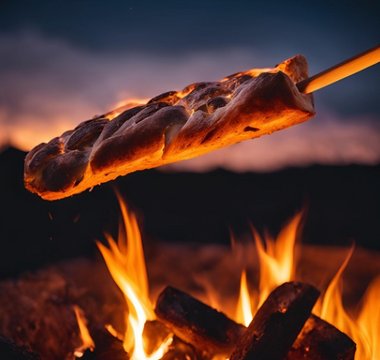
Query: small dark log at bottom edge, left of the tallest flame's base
point(106, 346)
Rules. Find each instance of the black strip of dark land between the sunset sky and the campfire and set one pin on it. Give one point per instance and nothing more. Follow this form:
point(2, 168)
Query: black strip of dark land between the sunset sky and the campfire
point(343, 205)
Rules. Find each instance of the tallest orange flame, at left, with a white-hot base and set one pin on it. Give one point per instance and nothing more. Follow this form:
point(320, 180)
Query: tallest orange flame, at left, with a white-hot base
point(125, 261)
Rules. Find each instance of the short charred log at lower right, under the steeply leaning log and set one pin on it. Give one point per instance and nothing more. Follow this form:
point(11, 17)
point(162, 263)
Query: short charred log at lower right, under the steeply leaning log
point(320, 340)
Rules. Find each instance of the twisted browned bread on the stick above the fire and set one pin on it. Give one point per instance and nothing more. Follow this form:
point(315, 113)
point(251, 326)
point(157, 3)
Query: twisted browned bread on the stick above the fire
point(171, 127)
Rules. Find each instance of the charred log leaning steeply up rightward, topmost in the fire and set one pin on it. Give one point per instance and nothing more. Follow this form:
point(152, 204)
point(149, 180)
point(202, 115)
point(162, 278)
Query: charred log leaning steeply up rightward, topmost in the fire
point(277, 323)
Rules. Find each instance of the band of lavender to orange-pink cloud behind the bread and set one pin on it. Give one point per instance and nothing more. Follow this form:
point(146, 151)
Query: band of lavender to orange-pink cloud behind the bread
point(49, 86)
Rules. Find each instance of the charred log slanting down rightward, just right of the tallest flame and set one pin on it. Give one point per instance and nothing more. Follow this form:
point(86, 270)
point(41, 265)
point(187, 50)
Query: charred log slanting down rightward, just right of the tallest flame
point(196, 323)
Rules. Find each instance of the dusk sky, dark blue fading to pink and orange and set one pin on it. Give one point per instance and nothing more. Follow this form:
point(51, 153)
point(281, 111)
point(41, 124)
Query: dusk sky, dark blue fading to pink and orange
point(62, 62)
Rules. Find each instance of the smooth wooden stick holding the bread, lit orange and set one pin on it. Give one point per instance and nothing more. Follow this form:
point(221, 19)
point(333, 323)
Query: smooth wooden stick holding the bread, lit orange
point(340, 71)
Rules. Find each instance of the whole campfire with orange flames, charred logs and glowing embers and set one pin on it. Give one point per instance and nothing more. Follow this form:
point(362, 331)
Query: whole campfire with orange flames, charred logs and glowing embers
point(273, 311)
